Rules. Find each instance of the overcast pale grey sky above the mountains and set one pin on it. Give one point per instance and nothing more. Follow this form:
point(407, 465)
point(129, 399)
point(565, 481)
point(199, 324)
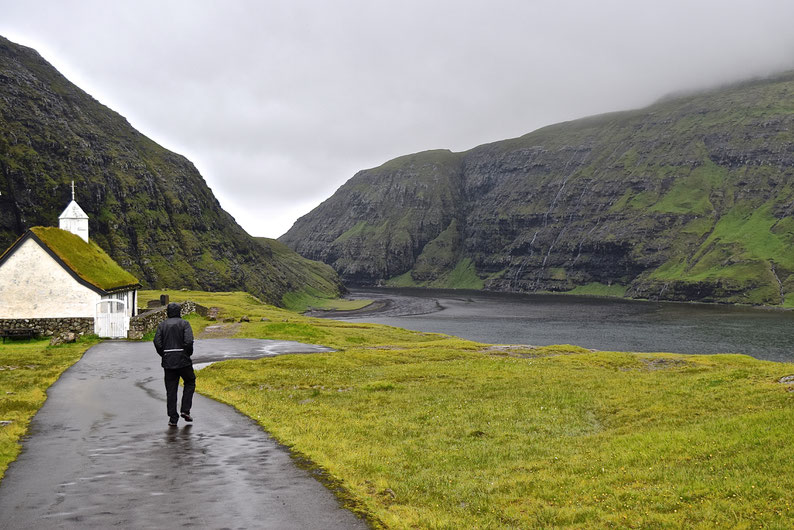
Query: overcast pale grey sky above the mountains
point(278, 103)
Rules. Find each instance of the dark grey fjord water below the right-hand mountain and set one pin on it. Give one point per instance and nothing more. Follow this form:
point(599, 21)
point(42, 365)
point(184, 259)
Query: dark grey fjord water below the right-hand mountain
point(599, 323)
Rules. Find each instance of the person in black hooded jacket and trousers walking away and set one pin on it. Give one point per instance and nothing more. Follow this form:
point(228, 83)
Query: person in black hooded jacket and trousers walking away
point(173, 341)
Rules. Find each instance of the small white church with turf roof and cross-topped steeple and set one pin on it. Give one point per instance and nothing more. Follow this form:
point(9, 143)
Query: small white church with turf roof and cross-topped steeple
point(57, 273)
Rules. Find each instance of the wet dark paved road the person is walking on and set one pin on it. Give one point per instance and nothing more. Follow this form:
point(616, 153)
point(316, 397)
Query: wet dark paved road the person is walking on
point(100, 455)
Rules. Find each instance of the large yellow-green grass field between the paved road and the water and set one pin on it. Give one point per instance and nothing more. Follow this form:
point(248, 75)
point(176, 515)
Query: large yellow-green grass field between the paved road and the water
point(428, 431)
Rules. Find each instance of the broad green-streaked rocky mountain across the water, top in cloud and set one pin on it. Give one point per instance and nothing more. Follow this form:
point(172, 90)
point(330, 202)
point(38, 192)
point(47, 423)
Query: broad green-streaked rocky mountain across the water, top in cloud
point(688, 199)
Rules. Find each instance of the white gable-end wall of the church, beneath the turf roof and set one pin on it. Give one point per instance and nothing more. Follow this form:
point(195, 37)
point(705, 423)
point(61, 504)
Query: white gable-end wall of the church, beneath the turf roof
point(34, 285)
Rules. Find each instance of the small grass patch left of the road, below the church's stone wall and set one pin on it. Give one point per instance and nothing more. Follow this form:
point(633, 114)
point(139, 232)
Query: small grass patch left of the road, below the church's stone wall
point(27, 369)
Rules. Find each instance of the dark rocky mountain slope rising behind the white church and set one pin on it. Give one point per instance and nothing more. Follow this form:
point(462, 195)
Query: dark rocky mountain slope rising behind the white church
point(149, 208)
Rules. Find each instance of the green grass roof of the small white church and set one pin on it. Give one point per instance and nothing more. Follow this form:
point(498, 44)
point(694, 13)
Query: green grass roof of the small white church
point(87, 260)
